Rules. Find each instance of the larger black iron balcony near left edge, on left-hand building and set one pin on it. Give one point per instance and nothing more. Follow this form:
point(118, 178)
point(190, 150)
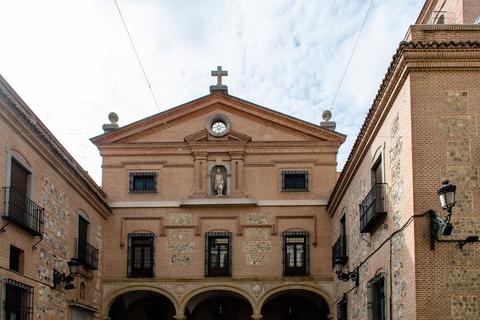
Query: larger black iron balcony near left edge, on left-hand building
point(23, 212)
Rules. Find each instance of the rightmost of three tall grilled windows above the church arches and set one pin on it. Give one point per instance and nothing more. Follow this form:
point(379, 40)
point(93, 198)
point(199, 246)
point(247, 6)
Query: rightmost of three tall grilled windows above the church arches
point(295, 251)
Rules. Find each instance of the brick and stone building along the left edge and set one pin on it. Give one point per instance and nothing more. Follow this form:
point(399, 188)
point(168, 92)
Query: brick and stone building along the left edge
point(52, 212)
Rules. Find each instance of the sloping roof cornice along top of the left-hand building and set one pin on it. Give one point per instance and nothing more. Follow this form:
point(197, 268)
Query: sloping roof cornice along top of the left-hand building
point(22, 116)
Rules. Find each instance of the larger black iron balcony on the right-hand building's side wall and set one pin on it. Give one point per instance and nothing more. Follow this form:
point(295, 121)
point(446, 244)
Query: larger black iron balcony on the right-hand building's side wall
point(373, 209)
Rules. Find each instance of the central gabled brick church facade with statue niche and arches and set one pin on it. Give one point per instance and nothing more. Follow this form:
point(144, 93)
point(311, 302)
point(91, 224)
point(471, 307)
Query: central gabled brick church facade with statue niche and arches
point(220, 206)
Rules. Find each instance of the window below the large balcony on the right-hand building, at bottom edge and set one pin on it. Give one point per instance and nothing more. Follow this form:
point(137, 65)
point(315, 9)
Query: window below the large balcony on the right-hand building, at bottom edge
point(377, 298)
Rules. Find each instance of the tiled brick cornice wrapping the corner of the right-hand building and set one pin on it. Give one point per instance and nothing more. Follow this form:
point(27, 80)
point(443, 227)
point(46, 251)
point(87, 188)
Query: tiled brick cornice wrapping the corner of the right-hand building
point(413, 55)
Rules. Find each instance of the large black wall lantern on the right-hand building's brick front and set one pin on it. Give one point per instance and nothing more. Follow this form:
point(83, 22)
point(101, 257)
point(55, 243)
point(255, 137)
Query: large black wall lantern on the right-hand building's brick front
point(440, 225)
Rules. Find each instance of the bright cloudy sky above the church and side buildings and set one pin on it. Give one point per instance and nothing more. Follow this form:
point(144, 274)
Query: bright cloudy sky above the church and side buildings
point(71, 61)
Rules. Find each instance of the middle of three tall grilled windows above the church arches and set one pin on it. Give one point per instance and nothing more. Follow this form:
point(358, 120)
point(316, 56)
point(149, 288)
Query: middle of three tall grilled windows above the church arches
point(218, 254)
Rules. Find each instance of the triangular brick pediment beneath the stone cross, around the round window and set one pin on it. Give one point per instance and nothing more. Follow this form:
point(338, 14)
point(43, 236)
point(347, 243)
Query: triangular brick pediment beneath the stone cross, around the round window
point(187, 123)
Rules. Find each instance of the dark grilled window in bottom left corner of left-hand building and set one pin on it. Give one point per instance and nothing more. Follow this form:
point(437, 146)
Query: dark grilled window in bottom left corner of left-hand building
point(18, 301)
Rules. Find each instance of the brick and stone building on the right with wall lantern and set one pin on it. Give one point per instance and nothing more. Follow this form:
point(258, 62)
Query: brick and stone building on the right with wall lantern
point(421, 129)
